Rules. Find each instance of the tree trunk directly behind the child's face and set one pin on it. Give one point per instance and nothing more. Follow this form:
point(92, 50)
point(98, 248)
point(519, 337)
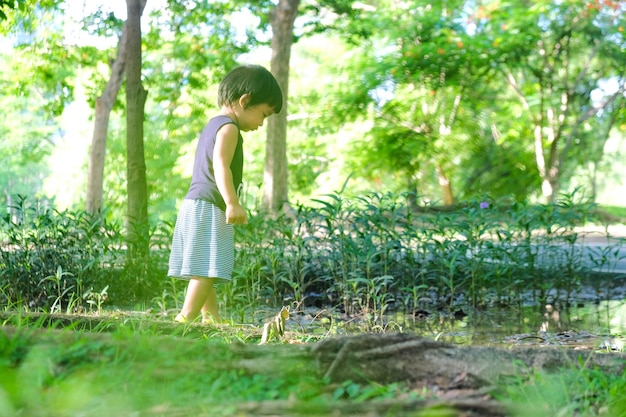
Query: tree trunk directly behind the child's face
point(275, 191)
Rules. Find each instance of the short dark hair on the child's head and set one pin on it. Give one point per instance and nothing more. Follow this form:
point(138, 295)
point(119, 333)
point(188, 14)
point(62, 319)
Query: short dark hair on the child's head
point(254, 80)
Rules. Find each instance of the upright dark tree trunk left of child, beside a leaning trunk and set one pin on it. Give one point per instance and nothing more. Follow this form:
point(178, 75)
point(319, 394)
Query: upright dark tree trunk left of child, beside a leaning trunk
point(137, 208)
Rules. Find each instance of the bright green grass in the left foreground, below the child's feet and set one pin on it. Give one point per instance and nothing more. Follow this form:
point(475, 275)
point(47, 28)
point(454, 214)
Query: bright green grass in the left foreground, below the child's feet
point(125, 372)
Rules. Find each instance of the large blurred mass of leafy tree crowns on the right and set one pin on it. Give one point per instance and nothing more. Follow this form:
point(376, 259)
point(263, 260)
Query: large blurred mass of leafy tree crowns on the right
point(464, 91)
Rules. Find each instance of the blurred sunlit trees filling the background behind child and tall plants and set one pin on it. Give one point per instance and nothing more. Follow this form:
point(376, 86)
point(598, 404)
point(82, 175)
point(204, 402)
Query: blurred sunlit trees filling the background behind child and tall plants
point(444, 100)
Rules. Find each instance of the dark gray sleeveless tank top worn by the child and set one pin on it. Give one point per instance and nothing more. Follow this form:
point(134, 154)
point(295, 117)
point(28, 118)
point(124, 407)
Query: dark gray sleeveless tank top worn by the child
point(203, 186)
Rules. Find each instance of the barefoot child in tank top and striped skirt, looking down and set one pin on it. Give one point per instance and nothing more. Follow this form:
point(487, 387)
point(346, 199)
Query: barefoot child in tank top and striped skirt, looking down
point(203, 249)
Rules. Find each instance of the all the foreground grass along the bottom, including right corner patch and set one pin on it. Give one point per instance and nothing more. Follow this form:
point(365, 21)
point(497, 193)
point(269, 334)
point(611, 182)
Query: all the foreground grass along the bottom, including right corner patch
point(141, 368)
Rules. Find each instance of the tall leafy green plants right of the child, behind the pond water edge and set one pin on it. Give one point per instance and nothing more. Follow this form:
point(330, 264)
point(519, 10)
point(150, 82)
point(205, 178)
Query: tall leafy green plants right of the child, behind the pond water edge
point(368, 255)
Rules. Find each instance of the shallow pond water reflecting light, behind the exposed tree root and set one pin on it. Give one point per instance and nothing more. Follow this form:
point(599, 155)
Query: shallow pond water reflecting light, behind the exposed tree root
point(584, 321)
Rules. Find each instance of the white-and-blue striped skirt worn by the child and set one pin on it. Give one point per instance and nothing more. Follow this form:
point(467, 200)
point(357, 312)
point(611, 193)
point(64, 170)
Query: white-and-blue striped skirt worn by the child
point(203, 244)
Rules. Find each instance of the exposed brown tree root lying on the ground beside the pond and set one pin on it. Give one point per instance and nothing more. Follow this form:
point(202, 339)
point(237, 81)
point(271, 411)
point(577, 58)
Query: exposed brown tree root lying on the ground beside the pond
point(390, 358)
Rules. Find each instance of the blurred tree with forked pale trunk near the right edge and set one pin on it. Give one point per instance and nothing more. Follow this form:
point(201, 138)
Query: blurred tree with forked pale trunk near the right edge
point(556, 55)
